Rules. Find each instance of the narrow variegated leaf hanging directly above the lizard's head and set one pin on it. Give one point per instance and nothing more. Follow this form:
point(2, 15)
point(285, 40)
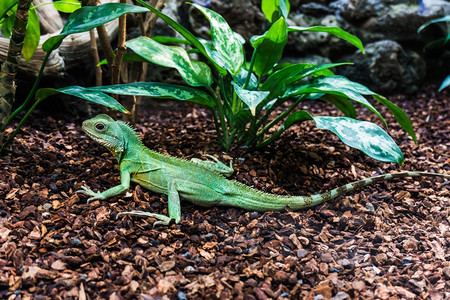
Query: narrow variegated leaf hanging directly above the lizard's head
point(83, 93)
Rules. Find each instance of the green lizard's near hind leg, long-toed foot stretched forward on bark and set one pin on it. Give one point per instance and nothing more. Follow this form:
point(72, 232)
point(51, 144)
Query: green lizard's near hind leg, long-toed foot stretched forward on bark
point(194, 192)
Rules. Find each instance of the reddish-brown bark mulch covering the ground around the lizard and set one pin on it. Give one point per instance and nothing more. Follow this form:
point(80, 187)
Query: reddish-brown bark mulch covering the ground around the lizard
point(387, 241)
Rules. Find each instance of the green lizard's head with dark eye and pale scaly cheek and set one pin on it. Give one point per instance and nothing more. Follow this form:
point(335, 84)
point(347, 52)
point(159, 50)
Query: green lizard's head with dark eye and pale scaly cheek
point(107, 132)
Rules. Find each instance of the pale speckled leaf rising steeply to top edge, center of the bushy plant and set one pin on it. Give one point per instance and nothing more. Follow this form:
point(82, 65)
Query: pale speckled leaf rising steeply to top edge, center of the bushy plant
point(224, 40)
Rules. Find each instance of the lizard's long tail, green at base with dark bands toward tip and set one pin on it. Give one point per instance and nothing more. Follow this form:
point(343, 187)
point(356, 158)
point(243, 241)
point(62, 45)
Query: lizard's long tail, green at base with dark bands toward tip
point(255, 200)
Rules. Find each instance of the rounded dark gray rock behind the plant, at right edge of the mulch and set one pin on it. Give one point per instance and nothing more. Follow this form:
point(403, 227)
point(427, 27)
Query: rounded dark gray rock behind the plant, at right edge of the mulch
point(386, 67)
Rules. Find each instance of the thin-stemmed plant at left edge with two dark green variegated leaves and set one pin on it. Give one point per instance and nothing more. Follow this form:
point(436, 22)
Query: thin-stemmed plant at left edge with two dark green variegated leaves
point(81, 20)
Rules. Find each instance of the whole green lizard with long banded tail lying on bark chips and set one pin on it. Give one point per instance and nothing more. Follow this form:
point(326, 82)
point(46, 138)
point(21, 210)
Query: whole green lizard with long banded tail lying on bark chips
point(201, 182)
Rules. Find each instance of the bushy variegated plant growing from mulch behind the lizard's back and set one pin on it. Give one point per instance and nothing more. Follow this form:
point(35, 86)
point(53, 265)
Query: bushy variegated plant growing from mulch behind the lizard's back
point(245, 96)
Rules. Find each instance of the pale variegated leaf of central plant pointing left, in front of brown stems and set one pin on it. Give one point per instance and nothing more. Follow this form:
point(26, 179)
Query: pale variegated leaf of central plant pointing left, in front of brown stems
point(193, 72)
